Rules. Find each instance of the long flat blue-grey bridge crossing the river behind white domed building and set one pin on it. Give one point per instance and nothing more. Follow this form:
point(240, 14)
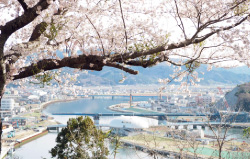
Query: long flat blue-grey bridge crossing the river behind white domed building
point(161, 116)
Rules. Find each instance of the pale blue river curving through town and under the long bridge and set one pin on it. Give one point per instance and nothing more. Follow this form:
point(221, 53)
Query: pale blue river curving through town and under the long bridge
point(40, 147)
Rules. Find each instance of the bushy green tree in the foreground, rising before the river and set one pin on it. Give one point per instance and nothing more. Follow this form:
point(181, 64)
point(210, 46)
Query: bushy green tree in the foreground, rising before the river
point(80, 139)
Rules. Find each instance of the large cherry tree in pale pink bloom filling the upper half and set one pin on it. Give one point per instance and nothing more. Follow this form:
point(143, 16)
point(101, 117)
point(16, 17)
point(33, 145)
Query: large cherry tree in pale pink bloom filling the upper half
point(120, 34)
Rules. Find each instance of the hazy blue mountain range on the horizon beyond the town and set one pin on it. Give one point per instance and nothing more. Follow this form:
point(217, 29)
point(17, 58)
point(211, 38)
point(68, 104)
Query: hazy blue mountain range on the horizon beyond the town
point(112, 76)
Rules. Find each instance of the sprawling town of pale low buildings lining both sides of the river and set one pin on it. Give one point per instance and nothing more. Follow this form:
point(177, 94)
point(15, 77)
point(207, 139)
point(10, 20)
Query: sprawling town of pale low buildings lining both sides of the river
point(23, 117)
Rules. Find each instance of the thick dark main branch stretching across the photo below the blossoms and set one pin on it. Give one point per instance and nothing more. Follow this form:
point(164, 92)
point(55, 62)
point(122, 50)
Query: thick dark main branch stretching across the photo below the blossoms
point(84, 62)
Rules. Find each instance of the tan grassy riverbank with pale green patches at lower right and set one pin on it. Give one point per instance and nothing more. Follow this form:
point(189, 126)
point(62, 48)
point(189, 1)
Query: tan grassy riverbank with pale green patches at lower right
point(156, 141)
